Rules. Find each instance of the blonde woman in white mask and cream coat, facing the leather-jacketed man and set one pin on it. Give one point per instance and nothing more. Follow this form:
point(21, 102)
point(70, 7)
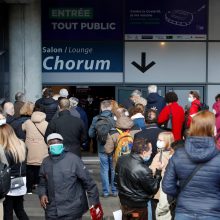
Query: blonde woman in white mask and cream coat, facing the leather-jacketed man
point(159, 203)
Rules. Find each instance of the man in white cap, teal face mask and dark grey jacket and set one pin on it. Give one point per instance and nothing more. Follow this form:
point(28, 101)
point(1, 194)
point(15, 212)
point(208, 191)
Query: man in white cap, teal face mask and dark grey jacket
point(63, 180)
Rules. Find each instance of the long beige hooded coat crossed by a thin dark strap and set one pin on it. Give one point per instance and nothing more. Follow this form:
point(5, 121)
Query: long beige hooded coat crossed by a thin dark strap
point(36, 146)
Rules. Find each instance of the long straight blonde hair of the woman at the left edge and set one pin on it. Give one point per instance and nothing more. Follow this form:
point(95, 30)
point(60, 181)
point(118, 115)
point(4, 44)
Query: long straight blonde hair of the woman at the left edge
point(11, 143)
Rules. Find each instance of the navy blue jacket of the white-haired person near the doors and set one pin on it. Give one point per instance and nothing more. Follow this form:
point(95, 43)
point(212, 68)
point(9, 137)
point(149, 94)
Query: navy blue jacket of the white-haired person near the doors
point(154, 100)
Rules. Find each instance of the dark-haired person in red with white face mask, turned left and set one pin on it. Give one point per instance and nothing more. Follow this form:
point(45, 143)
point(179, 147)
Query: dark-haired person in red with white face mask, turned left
point(194, 100)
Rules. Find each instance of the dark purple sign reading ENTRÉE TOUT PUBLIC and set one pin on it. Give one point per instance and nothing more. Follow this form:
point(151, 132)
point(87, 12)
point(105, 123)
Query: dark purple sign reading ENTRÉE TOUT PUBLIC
point(82, 20)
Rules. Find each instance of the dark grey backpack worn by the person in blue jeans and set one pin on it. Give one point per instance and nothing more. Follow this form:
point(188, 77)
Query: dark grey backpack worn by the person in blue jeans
point(103, 126)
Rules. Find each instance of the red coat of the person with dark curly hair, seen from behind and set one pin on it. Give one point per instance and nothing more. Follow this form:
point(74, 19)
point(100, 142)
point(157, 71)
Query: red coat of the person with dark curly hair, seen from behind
point(177, 119)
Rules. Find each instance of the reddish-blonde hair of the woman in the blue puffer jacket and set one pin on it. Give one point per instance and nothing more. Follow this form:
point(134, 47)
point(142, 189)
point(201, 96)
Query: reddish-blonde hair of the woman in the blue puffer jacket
point(203, 124)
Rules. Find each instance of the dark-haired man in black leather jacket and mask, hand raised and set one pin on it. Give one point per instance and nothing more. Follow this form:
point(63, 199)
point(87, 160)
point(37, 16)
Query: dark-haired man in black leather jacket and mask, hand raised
point(135, 181)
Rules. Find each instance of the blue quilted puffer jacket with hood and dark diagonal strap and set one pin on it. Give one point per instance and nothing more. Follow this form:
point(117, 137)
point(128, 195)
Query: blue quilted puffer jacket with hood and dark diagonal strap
point(202, 194)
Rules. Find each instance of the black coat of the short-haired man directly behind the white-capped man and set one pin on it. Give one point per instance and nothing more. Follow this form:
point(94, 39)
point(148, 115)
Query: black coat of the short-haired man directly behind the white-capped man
point(72, 130)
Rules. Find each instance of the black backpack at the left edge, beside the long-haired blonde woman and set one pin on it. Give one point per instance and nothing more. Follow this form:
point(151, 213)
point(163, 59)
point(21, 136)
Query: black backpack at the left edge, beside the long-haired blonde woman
point(5, 179)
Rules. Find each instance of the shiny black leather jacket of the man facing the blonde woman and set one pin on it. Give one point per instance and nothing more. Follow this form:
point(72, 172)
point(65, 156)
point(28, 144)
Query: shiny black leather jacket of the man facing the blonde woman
point(135, 181)
